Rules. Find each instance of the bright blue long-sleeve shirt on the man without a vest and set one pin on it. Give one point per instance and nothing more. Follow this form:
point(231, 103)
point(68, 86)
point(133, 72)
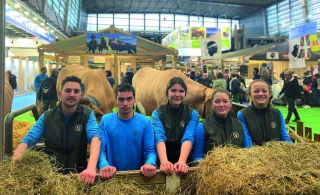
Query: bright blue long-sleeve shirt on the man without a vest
point(126, 144)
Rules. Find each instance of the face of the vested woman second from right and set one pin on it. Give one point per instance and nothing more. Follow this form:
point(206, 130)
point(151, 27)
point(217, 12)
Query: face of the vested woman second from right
point(221, 104)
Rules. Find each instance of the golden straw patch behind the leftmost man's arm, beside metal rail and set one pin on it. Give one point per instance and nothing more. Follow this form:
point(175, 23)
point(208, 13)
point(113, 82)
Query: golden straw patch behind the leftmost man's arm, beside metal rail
point(19, 130)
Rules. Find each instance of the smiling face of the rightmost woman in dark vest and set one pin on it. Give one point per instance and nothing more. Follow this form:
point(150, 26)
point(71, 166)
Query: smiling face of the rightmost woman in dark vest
point(260, 94)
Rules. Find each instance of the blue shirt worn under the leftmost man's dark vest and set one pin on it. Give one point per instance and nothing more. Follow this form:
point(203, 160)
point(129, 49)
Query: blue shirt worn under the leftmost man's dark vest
point(37, 130)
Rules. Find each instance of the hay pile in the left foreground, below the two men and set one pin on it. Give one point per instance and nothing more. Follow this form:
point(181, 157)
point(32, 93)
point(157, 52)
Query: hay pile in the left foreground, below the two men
point(35, 174)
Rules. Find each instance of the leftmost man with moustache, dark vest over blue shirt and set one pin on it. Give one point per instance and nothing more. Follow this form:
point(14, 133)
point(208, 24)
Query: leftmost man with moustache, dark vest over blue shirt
point(67, 130)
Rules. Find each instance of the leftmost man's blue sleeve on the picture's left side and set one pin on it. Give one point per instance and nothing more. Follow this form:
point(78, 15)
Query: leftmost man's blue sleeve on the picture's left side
point(35, 133)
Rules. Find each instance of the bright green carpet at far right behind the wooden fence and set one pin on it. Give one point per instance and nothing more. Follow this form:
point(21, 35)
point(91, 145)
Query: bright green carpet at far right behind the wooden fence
point(309, 116)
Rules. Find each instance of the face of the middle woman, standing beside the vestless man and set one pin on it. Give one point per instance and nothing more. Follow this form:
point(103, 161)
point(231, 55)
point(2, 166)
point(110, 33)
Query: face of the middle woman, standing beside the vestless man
point(176, 95)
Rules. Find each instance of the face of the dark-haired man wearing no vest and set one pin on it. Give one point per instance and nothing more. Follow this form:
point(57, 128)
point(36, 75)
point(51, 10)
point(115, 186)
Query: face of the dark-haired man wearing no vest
point(125, 102)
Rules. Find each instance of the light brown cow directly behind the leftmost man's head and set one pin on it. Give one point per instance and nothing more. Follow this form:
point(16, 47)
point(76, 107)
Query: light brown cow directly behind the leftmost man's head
point(98, 94)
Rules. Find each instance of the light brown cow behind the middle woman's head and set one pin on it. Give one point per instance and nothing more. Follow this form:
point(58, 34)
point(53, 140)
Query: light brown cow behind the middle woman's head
point(150, 86)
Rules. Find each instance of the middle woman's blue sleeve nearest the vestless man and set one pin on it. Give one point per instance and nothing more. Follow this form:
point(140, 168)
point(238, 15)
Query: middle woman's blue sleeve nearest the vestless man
point(158, 128)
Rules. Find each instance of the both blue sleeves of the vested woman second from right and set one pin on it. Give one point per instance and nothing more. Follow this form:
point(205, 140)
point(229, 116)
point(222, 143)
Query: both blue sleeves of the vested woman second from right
point(199, 143)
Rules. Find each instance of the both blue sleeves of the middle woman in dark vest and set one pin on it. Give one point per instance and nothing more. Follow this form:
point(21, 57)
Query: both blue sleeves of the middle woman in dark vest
point(189, 134)
